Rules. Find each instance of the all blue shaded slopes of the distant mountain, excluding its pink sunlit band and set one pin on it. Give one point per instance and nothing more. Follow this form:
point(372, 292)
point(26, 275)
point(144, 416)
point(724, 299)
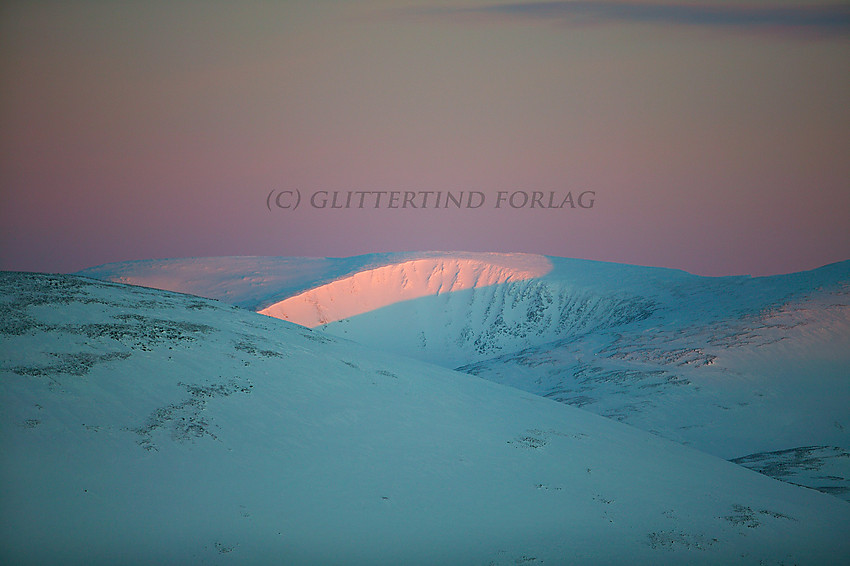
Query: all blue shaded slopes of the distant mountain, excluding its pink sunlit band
point(735, 366)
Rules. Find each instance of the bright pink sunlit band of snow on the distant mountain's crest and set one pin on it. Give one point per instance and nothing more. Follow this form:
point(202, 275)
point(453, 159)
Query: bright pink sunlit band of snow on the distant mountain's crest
point(368, 290)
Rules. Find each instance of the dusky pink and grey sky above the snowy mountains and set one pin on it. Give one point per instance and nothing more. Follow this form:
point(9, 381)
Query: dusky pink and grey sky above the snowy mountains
point(715, 135)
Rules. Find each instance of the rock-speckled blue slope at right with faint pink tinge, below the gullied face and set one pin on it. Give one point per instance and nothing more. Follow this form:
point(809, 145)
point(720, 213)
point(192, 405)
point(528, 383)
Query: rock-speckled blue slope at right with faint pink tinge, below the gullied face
point(770, 379)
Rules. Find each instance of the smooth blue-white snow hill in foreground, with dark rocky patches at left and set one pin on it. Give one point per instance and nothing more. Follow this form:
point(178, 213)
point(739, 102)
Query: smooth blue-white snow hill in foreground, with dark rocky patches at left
point(142, 426)
